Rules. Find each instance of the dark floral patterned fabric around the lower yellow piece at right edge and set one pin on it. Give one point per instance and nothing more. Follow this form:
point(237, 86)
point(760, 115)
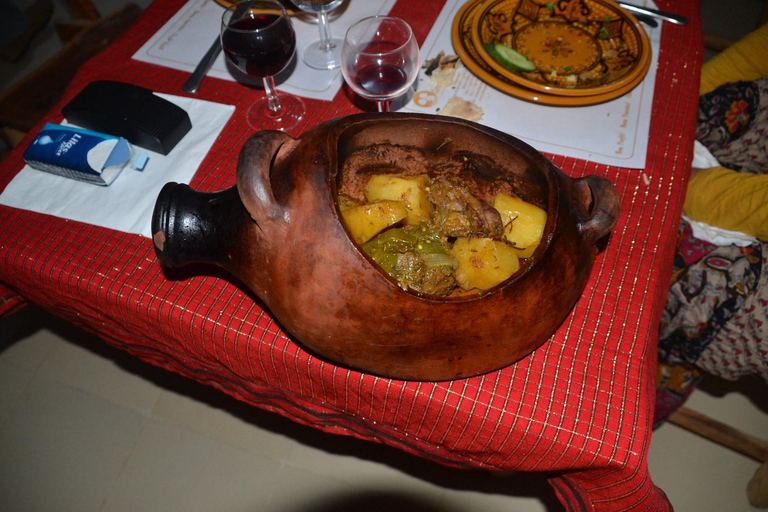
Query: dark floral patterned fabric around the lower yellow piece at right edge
point(716, 317)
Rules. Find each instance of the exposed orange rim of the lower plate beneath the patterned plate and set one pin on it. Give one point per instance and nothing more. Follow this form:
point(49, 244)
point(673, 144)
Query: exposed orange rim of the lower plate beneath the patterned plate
point(461, 35)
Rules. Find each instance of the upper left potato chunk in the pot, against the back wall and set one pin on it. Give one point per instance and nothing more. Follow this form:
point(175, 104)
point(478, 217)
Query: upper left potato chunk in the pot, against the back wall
point(409, 190)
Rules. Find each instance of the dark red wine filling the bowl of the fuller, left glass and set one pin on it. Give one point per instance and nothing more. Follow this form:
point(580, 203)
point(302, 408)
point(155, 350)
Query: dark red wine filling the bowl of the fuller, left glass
point(262, 55)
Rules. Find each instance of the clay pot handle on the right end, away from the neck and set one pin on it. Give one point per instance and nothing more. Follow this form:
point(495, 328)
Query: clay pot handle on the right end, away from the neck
point(599, 197)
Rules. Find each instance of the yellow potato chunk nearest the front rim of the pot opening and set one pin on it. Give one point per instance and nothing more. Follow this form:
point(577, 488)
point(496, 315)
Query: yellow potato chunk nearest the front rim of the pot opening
point(483, 262)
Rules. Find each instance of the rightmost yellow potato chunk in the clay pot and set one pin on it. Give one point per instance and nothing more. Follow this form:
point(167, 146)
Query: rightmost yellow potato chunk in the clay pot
point(523, 223)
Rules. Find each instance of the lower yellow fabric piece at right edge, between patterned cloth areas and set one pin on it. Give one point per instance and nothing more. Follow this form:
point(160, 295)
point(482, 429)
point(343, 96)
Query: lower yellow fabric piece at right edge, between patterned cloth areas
point(729, 200)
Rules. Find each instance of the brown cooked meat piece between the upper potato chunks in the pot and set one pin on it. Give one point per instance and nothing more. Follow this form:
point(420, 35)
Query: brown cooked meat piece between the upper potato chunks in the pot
point(459, 213)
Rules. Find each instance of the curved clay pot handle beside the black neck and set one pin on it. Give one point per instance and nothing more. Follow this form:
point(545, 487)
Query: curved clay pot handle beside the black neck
point(253, 173)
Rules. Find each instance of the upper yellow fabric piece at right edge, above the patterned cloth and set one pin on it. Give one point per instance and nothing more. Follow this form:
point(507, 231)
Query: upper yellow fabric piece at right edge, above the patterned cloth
point(747, 59)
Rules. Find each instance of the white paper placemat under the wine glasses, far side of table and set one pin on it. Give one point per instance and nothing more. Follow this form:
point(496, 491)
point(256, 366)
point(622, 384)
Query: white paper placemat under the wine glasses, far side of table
point(182, 42)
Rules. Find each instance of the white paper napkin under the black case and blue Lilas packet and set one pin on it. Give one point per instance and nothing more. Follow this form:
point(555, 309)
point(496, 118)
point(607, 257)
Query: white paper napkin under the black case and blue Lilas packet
point(127, 204)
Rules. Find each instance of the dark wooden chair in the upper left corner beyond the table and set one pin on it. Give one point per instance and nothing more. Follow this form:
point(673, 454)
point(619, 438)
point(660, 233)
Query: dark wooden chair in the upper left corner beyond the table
point(23, 105)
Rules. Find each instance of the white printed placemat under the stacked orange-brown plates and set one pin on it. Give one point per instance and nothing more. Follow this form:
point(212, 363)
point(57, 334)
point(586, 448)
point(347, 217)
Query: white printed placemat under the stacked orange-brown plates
point(612, 133)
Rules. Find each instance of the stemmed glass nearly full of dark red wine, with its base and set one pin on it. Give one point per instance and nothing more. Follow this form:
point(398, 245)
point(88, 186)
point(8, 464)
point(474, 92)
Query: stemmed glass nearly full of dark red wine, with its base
point(258, 39)
